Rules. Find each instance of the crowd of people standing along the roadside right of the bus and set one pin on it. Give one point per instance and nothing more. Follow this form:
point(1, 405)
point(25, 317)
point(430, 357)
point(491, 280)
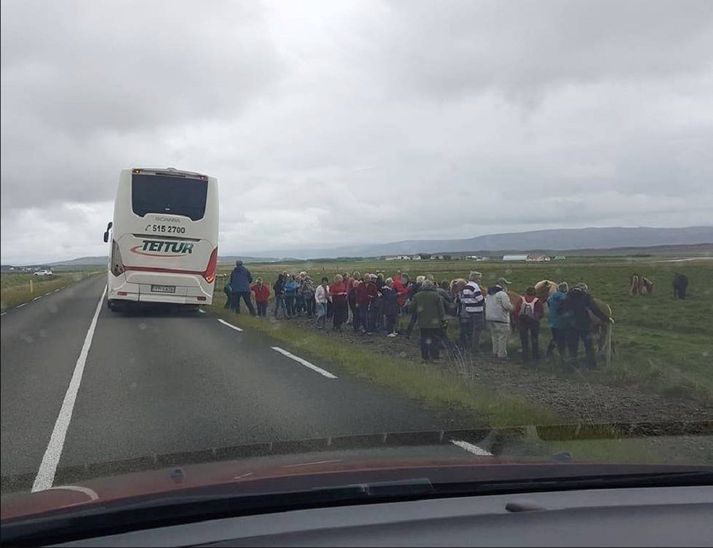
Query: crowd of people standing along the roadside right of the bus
point(372, 304)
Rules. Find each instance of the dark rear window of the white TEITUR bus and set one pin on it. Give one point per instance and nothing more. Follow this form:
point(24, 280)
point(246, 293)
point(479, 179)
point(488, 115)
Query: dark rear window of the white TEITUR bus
point(166, 194)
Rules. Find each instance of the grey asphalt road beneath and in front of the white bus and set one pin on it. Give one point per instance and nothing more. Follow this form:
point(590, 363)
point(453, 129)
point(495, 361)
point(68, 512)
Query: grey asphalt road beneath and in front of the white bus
point(159, 384)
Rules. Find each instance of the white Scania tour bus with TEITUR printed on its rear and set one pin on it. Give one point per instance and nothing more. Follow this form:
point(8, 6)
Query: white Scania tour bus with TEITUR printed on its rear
point(164, 240)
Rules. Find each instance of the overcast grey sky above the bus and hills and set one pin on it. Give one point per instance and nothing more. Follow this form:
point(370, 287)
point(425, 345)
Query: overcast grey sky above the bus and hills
point(341, 122)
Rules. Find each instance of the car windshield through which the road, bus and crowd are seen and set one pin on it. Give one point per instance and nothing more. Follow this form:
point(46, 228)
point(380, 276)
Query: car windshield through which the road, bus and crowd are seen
point(439, 241)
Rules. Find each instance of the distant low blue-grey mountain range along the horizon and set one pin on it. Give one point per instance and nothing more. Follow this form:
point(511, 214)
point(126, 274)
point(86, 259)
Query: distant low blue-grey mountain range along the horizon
point(563, 239)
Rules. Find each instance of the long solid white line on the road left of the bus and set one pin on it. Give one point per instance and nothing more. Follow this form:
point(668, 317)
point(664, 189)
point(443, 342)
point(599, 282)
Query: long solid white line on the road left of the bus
point(50, 460)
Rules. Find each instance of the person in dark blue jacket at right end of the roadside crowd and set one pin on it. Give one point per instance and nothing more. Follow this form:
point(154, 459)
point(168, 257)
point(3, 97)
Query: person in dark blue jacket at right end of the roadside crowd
point(580, 305)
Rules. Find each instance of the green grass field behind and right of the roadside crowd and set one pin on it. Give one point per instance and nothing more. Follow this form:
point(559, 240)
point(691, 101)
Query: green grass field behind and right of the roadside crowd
point(660, 344)
